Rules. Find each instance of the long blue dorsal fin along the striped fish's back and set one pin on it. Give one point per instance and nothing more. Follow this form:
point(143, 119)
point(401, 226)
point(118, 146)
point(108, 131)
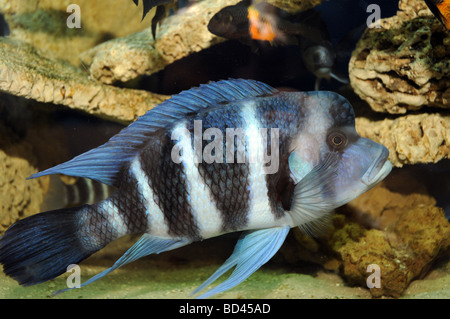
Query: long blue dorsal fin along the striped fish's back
point(105, 162)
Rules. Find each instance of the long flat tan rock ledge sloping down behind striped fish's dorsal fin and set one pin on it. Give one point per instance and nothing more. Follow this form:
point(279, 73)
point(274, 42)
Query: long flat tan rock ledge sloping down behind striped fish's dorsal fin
point(25, 72)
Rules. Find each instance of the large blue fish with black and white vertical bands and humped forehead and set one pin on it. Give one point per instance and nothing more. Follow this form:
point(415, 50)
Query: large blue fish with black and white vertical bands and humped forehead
point(229, 156)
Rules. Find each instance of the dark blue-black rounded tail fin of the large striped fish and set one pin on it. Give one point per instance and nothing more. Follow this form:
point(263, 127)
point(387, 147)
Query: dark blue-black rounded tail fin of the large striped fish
point(40, 247)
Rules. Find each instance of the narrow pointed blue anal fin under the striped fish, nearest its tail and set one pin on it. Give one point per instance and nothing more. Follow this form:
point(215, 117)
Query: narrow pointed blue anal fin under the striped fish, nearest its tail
point(145, 246)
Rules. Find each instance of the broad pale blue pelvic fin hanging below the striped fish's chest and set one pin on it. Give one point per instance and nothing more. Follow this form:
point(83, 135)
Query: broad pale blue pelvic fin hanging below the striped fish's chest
point(253, 250)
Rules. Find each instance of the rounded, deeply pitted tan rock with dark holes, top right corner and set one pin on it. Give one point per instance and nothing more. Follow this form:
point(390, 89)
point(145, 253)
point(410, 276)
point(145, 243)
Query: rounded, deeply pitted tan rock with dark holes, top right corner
point(405, 64)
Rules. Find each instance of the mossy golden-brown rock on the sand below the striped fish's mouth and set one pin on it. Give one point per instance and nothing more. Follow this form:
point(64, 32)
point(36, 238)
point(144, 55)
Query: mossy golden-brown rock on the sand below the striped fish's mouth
point(396, 228)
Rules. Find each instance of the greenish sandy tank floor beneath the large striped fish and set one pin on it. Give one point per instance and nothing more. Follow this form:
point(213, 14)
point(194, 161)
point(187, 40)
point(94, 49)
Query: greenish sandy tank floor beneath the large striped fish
point(176, 274)
